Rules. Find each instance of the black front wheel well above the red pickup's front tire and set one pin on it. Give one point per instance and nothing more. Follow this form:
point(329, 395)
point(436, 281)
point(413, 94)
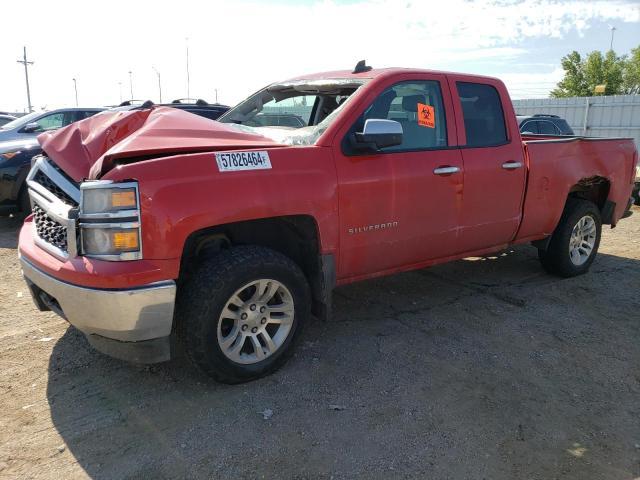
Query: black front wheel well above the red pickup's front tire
point(295, 236)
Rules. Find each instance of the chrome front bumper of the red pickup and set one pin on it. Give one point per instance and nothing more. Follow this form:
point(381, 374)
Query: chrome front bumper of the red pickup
point(132, 324)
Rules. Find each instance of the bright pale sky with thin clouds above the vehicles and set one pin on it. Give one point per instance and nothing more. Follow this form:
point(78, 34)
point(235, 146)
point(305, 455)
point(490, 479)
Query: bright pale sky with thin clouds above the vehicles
point(238, 46)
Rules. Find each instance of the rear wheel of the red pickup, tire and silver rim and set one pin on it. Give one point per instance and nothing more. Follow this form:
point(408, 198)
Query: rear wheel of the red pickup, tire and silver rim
point(575, 241)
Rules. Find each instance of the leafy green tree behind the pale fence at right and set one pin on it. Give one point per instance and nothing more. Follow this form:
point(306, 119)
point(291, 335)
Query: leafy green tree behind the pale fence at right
point(582, 75)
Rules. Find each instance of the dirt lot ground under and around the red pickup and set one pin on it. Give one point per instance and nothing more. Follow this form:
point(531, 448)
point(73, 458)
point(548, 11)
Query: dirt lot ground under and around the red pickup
point(481, 369)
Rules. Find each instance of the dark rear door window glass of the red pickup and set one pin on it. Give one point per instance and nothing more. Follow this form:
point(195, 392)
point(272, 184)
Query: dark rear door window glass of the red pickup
point(483, 115)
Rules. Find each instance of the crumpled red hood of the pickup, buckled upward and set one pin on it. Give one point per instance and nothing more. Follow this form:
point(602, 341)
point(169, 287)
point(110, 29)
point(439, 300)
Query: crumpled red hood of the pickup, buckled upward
point(89, 148)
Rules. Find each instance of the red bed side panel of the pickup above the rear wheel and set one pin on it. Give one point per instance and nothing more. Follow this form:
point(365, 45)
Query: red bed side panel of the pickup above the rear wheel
point(557, 165)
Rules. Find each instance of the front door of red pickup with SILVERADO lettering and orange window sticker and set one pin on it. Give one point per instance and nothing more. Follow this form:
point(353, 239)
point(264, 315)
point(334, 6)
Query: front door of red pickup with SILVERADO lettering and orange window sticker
point(400, 205)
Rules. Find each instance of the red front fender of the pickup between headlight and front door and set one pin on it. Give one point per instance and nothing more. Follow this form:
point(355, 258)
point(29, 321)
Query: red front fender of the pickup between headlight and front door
point(182, 194)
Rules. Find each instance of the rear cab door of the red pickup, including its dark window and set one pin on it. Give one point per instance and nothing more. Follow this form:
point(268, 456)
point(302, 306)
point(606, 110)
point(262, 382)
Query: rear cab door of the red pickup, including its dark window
point(494, 162)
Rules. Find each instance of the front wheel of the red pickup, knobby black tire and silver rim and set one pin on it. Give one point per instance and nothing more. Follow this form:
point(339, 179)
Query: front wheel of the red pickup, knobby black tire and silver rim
point(241, 312)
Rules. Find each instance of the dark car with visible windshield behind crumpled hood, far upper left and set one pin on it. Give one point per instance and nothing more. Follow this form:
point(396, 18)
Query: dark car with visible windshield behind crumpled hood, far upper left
point(35, 123)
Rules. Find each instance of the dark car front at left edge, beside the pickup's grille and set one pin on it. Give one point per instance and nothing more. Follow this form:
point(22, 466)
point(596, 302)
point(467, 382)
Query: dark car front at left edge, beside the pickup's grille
point(15, 161)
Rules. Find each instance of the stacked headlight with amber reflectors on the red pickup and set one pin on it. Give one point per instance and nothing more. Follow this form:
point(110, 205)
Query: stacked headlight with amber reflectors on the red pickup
point(110, 220)
